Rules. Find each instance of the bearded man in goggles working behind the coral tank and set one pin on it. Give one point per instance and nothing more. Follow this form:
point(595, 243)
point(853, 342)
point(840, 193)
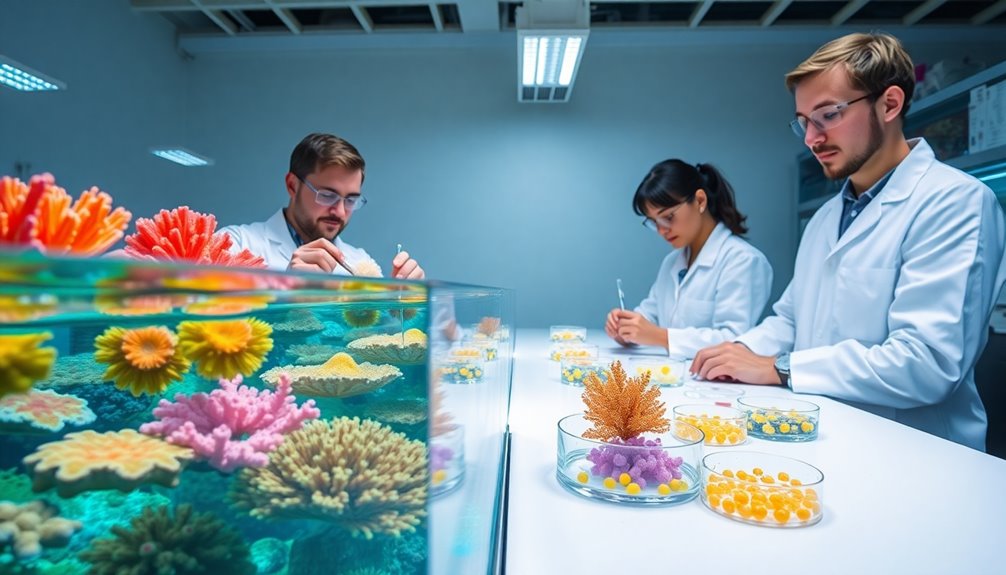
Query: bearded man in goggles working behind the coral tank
point(324, 181)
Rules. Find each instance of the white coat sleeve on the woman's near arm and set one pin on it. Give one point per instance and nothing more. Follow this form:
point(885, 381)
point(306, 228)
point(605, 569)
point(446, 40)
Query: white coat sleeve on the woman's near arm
point(742, 292)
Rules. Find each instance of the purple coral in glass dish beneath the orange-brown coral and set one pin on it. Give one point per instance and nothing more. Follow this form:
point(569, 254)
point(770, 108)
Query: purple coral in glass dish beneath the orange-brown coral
point(634, 458)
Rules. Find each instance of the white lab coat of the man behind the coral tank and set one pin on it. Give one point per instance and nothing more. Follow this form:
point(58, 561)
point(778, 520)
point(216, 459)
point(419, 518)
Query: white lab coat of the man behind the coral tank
point(271, 241)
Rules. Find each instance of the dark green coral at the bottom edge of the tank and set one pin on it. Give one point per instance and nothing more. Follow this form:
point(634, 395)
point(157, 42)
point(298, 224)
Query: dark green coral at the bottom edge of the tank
point(157, 543)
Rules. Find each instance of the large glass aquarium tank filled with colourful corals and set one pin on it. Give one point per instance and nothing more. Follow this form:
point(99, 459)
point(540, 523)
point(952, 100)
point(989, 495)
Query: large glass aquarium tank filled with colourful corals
point(165, 418)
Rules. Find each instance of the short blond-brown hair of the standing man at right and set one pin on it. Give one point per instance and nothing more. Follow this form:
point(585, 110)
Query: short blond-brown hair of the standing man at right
point(875, 63)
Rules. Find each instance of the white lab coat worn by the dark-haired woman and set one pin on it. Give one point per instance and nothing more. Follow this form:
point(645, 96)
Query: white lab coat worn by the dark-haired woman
point(723, 294)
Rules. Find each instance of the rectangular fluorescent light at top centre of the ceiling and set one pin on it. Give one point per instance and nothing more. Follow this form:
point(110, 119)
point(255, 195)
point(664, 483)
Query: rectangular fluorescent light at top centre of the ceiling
point(552, 38)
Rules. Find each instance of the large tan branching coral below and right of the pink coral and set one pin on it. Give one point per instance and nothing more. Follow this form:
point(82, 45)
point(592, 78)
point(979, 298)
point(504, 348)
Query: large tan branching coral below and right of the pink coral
point(359, 475)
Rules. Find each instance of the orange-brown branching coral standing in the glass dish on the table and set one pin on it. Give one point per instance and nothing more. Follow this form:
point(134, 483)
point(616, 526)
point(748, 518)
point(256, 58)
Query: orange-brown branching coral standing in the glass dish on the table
point(623, 408)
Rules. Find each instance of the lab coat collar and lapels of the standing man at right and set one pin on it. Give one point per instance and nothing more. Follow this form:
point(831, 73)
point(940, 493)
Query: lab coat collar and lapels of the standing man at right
point(903, 182)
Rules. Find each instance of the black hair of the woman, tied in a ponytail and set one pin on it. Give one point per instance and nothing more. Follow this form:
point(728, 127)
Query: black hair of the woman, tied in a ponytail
point(673, 182)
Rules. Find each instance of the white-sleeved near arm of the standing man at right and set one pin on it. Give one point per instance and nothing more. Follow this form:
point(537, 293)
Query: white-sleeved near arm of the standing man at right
point(951, 274)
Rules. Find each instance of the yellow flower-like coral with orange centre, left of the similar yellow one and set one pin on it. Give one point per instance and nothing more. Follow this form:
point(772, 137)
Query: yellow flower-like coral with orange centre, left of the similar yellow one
point(144, 360)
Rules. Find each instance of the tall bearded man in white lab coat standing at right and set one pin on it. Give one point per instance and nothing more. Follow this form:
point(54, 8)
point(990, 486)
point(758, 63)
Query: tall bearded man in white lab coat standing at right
point(897, 276)
